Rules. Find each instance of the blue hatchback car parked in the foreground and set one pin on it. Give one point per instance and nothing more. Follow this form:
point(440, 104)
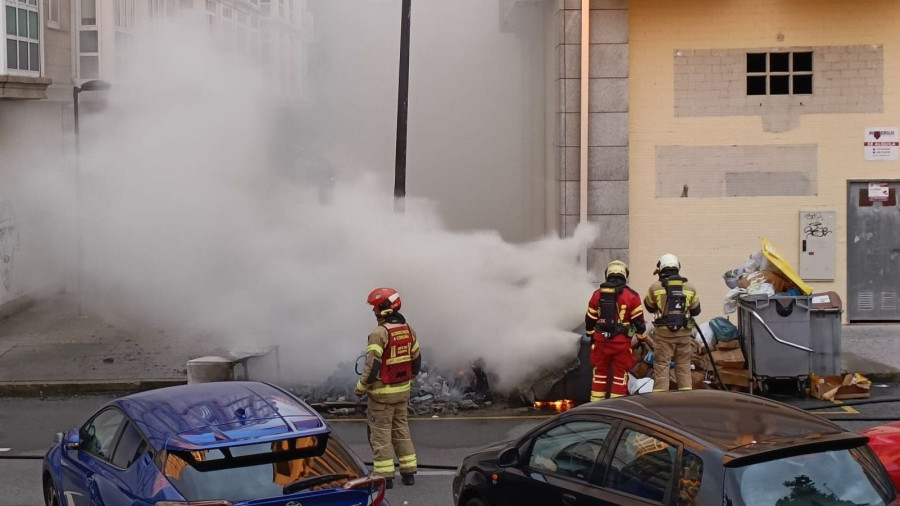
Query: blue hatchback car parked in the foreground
point(208, 444)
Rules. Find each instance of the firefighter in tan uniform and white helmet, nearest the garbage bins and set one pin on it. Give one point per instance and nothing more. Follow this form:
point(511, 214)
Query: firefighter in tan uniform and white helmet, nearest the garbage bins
point(675, 303)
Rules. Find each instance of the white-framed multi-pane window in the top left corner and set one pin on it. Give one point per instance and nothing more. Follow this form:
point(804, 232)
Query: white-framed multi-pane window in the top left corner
point(23, 36)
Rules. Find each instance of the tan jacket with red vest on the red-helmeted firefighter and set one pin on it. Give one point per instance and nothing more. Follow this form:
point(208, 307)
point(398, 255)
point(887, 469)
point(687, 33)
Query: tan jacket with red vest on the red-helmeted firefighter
point(392, 361)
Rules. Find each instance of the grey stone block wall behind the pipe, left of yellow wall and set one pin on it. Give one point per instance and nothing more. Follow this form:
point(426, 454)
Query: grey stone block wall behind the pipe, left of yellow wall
point(607, 124)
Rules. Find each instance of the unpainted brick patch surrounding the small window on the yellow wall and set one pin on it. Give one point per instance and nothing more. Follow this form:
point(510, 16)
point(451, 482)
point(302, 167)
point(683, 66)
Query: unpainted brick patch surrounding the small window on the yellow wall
point(712, 82)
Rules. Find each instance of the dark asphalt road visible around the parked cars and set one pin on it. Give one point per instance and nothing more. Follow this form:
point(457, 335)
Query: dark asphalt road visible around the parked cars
point(27, 427)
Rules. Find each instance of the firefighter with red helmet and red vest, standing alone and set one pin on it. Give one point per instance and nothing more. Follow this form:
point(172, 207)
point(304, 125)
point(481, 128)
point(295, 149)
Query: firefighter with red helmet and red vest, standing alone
point(392, 362)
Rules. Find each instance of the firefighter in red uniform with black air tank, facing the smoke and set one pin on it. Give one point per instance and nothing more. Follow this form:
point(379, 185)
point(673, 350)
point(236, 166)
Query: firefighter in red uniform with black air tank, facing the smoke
point(613, 317)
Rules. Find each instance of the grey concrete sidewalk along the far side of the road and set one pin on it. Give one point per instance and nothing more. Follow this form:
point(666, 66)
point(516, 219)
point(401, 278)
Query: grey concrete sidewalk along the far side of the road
point(46, 349)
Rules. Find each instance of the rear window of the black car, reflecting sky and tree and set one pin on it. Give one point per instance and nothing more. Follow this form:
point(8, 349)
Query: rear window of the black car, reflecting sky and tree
point(832, 478)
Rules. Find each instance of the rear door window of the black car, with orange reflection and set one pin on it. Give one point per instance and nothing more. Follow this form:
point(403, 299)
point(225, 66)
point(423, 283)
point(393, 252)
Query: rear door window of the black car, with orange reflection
point(642, 465)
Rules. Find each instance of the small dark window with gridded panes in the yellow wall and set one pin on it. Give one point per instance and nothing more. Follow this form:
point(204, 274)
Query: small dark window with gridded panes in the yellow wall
point(788, 73)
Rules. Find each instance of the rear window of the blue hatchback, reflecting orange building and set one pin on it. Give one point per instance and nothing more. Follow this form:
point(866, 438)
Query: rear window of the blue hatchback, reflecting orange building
point(240, 473)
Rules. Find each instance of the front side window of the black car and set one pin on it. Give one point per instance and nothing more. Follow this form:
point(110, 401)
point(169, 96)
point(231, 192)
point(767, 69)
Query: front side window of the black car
point(570, 449)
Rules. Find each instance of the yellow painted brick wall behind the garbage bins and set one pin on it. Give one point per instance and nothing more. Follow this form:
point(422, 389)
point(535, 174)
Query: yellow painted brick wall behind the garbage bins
point(712, 235)
